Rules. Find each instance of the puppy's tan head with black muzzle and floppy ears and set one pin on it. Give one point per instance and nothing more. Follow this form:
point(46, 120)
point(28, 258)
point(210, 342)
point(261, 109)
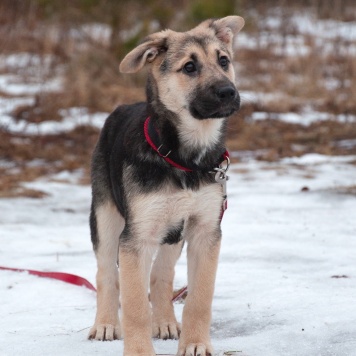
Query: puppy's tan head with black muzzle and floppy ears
point(191, 72)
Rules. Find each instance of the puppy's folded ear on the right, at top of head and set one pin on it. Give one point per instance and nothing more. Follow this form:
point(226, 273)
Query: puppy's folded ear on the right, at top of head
point(227, 27)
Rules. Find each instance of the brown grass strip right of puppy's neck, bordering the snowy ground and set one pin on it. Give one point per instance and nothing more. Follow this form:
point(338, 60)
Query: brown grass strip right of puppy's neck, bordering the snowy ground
point(273, 139)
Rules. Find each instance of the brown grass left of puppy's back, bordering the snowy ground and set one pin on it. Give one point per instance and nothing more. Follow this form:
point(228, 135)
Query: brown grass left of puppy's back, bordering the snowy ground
point(32, 157)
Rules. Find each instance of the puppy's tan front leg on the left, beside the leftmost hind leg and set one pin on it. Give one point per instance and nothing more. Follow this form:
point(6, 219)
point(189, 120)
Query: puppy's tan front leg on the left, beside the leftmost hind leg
point(136, 312)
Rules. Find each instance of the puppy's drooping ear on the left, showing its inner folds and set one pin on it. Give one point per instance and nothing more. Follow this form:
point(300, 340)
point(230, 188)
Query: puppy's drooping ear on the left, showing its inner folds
point(146, 52)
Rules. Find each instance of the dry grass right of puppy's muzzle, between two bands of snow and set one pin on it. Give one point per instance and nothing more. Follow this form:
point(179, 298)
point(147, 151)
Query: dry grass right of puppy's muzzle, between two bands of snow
point(322, 81)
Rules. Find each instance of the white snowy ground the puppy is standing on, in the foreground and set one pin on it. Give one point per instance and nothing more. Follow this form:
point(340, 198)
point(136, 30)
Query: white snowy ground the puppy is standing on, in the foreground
point(275, 294)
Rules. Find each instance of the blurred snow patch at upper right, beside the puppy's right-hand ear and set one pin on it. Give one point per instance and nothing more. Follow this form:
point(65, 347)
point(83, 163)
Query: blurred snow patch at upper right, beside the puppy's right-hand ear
point(288, 34)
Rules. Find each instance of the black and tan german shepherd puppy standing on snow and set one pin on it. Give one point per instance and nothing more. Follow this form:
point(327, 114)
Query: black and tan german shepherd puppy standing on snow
point(154, 187)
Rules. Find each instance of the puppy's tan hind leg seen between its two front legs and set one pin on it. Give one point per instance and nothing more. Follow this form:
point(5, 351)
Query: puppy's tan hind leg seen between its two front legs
point(164, 323)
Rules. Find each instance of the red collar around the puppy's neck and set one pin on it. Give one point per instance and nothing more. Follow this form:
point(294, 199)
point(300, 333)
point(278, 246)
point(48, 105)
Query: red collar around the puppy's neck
point(154, 141)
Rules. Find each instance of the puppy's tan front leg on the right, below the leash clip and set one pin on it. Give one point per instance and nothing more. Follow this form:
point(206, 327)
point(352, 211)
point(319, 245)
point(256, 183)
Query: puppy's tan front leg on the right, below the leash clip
point(203, 253)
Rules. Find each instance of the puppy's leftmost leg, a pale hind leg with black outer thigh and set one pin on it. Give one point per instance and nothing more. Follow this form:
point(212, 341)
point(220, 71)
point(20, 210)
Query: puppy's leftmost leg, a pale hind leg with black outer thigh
point(106, 226)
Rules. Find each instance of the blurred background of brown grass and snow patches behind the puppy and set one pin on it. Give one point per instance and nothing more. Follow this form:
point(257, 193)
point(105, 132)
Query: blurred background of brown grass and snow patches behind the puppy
point(59, 77)
